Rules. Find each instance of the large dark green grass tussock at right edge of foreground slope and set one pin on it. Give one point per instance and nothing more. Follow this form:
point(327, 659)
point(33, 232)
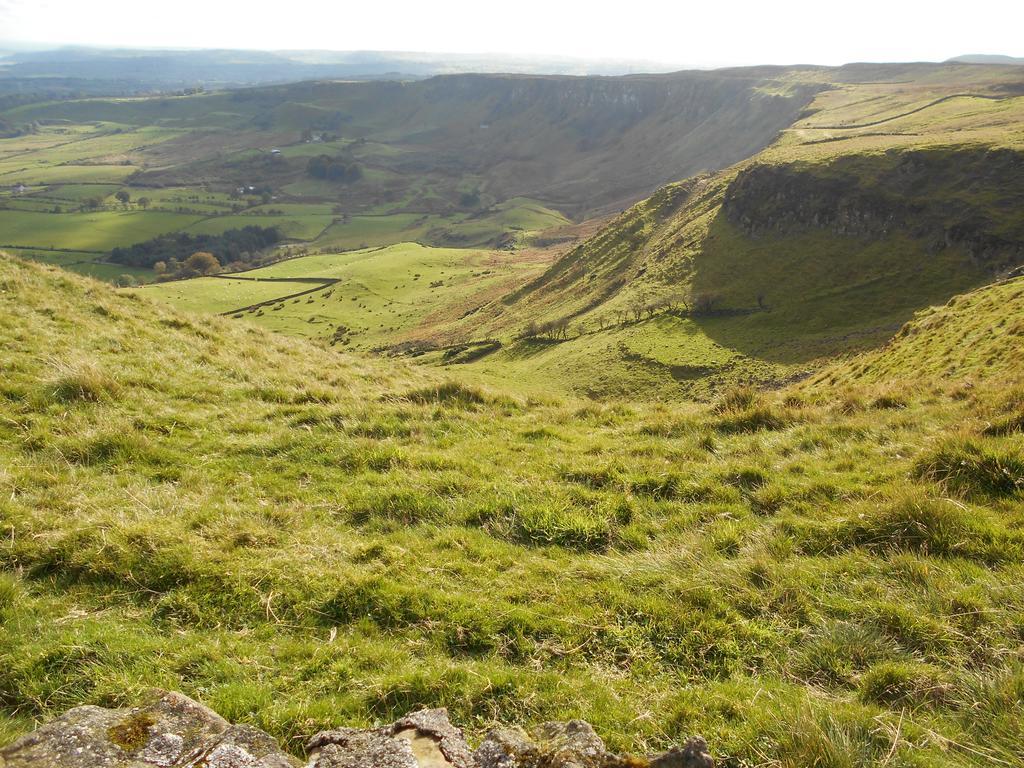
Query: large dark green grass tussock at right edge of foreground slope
point(966, 468)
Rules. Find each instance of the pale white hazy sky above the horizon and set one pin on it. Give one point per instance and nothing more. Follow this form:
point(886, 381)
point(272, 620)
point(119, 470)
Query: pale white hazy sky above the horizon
point(706, 33)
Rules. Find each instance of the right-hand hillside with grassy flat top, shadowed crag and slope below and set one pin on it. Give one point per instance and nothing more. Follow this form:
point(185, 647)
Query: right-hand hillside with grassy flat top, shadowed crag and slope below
point(796, 292)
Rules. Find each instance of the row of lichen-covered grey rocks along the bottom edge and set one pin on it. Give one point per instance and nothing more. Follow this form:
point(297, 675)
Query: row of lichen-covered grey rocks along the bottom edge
point(170, 731)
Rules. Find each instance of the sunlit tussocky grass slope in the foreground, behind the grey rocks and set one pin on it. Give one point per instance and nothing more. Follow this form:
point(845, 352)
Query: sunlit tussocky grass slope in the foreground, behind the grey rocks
point(304, 539)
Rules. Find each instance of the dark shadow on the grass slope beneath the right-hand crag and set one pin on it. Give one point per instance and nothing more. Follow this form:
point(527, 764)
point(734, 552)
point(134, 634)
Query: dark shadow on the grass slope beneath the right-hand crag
point(815, 293)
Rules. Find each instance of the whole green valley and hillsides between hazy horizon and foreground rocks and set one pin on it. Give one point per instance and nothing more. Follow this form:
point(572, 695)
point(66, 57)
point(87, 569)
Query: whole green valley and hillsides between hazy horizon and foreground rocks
point(685, 404)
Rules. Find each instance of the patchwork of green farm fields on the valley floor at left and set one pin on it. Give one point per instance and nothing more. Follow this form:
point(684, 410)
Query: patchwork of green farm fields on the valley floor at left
point(62, 187)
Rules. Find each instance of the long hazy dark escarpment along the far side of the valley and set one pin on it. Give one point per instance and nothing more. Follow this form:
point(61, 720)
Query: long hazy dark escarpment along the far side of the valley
point(581, 145)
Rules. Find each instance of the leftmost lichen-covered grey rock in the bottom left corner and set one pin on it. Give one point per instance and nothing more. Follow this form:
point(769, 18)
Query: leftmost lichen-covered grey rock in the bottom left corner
point(169, 731)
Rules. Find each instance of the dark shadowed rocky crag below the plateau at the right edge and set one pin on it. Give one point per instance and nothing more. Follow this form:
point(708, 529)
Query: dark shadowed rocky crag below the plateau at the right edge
point(944, 199)
